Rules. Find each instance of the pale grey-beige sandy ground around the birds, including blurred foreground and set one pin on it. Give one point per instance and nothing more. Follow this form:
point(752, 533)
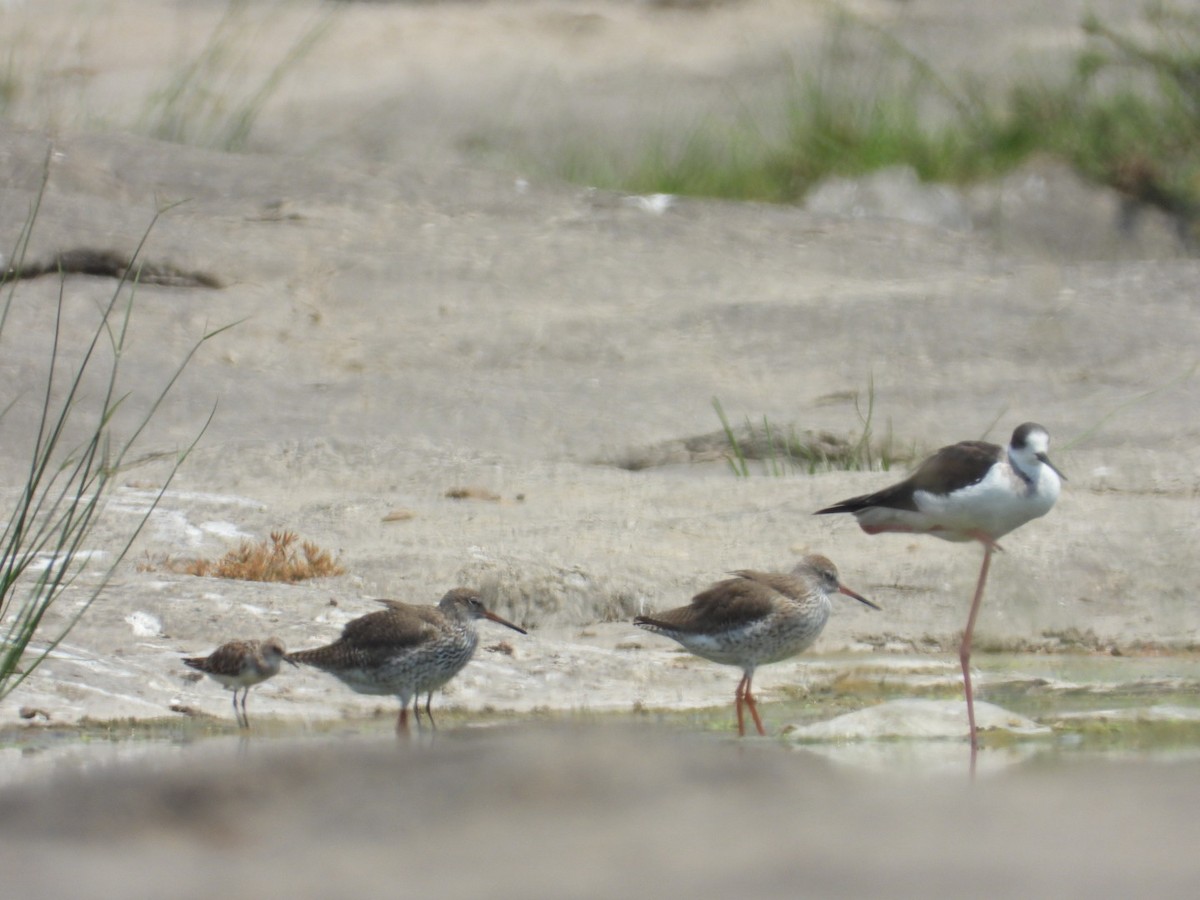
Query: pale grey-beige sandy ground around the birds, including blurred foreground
point(411, 321)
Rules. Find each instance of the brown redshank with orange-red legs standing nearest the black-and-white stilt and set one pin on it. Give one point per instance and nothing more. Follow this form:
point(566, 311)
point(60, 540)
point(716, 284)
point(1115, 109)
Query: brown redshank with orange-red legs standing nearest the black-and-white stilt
point(755, 619)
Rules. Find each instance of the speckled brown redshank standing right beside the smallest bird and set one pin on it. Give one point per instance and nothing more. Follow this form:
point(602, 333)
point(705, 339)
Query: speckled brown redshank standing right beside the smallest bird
point(406, 650)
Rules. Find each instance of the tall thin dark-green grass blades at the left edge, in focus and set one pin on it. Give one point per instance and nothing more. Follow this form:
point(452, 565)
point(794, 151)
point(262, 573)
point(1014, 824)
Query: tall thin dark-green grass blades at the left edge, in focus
point(44, 548)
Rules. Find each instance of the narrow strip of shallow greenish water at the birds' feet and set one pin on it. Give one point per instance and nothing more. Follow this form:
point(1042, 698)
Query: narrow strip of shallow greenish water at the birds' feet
point(1142, 709)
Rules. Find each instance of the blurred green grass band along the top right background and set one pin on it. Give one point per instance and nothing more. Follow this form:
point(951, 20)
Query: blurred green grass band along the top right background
point(1127, 115)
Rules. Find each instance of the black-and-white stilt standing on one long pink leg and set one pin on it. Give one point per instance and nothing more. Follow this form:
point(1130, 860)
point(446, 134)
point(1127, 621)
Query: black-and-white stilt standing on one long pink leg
point(971, 491)
